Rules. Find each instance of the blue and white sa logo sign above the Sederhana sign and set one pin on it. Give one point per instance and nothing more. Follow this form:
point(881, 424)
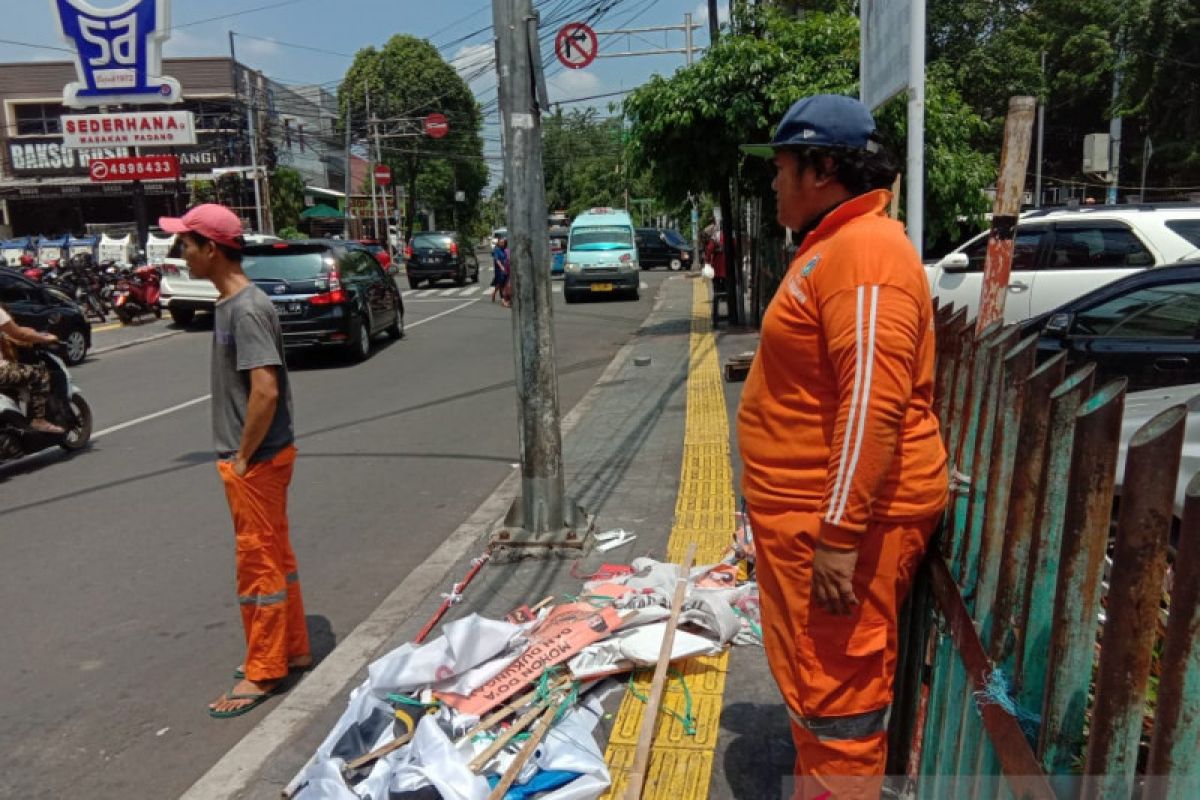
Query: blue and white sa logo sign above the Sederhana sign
point(118, 52)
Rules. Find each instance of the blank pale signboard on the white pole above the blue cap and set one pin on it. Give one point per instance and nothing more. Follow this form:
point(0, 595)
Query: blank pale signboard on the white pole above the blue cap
point(884, 41)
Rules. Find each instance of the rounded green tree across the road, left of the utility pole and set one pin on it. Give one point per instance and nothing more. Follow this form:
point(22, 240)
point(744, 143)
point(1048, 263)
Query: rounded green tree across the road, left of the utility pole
point(407, 80)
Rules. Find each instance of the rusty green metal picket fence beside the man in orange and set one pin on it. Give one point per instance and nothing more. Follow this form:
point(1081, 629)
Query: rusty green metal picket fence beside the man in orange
point(1037, 660)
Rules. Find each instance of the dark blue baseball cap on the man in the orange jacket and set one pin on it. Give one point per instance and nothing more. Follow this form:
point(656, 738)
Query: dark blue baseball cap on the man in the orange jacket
point(821, 122)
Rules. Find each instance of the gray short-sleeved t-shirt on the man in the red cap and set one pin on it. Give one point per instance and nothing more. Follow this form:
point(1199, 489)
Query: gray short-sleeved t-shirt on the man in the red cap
point(247, 335)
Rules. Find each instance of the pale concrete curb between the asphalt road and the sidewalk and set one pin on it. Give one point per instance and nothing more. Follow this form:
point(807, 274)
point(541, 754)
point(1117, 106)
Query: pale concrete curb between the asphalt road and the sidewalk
point(233, 774)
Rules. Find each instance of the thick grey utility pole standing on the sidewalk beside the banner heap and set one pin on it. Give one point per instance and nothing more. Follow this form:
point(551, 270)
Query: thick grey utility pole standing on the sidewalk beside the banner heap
point(543, 518)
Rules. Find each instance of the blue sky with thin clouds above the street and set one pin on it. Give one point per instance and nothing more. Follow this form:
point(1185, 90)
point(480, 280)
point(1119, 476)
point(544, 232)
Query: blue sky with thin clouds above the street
point(314, 41)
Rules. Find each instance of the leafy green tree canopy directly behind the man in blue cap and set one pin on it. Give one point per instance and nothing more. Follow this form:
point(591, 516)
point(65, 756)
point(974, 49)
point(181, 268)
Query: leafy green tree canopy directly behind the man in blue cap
point(686, 129)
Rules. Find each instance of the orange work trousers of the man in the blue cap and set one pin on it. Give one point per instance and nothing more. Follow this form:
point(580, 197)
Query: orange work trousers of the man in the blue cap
point(836, 672)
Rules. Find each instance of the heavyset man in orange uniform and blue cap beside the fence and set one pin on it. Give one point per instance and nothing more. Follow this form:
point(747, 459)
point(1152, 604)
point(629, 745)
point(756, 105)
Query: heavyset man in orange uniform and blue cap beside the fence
point(844, 467)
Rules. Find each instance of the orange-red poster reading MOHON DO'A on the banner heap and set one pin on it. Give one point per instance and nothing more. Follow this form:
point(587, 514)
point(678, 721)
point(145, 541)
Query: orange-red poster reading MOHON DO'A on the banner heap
point(565, 633)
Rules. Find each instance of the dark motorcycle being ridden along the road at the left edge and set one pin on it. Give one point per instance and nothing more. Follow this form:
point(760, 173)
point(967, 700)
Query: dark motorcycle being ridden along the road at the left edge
point(65, 407)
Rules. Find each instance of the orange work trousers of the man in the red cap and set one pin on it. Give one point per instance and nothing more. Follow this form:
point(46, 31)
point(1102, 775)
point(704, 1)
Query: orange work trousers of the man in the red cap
point(268, 582)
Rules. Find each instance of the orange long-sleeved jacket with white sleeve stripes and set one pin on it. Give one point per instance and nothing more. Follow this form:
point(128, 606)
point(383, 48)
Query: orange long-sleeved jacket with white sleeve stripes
point(837, 412)
